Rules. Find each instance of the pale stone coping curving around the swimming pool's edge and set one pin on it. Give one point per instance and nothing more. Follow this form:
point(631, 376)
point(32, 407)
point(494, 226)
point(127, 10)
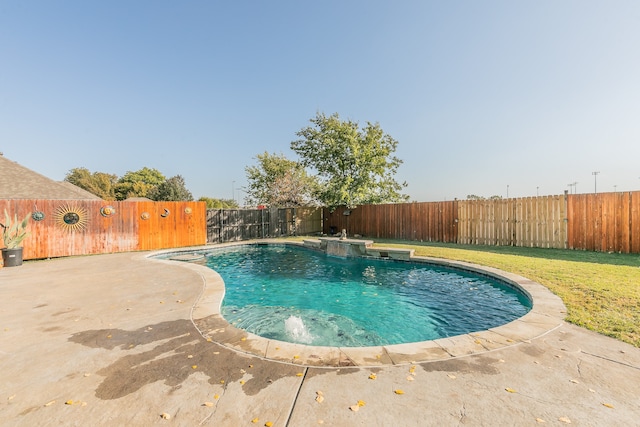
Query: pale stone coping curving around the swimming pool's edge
point(547, 314)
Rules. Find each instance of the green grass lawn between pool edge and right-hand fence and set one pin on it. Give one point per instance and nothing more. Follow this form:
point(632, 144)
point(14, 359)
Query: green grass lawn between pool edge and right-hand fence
point(601, 290)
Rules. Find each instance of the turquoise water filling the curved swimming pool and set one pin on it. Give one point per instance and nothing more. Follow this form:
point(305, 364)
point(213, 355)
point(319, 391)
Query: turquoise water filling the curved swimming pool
point(298, 295)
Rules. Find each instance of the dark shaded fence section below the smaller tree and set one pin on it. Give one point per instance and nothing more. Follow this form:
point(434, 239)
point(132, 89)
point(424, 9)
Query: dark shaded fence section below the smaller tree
point(230, 225)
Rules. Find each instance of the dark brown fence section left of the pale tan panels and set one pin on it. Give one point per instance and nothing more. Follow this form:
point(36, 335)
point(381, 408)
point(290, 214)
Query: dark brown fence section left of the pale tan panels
point(427, 221)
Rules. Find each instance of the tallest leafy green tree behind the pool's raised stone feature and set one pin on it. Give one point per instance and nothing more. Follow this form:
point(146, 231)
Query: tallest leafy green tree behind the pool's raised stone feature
point(354, 166)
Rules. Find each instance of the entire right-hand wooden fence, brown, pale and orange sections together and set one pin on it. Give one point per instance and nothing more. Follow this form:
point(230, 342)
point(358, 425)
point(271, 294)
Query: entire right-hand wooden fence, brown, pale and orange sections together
point(598, 222)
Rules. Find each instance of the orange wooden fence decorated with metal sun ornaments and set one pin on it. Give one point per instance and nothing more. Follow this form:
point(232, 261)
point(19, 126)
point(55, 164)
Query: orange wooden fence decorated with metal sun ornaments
point(81, 227)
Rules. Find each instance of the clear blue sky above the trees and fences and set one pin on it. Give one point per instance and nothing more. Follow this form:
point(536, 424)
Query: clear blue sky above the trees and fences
point(482, 96)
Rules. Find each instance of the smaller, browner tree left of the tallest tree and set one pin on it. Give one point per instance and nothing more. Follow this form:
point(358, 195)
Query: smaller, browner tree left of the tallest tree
point(279, 182)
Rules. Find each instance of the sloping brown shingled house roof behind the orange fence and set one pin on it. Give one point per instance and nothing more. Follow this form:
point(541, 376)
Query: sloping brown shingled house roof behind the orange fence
point(19, 182)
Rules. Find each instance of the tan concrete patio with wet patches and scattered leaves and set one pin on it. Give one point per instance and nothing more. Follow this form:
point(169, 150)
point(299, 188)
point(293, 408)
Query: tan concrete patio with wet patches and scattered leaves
point(124, 340)
